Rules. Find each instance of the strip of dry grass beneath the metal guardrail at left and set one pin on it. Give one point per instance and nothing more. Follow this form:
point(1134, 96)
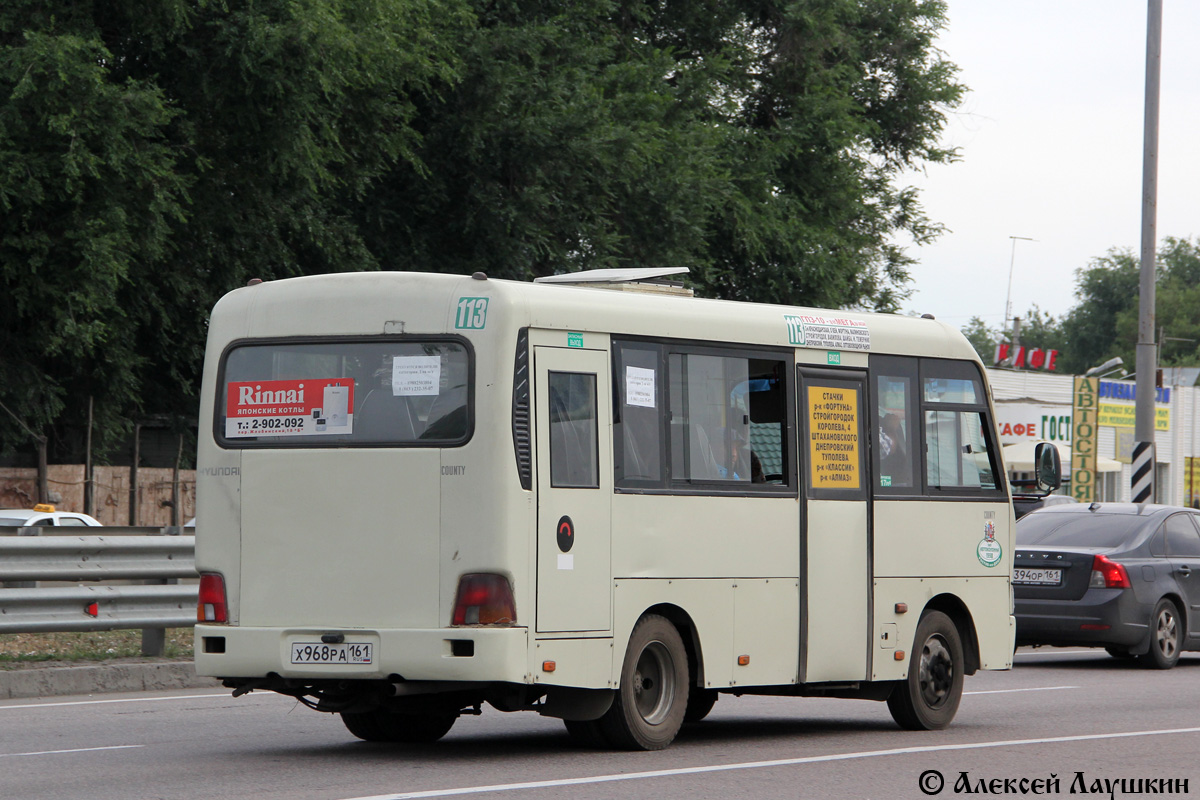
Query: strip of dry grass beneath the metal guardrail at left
point(101, 646)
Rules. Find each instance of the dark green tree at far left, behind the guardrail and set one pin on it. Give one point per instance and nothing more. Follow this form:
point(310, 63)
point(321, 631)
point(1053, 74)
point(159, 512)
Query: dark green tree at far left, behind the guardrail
point(154, 157)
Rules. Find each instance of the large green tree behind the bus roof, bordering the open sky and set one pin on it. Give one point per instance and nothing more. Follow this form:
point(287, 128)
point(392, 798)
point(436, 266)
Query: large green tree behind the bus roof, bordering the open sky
point(754, 142)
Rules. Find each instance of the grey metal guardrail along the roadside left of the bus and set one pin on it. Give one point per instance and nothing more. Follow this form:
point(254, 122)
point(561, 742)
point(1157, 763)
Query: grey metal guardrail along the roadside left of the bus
point(98, 570)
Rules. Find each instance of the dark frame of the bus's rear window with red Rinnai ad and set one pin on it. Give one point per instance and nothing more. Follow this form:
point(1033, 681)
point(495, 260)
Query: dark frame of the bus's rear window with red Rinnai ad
point(314, 443)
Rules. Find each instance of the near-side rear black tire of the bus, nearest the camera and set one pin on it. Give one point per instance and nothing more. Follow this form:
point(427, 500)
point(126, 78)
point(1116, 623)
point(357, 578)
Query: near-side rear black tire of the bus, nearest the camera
point(652, 701)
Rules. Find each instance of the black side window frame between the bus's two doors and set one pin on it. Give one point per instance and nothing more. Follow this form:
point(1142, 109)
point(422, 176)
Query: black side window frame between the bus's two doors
point(669, 485)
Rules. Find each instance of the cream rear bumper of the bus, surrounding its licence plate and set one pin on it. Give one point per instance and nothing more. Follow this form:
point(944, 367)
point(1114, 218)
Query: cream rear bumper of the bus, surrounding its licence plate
point(495, 654)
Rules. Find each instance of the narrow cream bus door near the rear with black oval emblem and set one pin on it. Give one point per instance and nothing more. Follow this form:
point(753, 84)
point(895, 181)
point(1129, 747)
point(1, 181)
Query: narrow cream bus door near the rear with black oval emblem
point(574, 429)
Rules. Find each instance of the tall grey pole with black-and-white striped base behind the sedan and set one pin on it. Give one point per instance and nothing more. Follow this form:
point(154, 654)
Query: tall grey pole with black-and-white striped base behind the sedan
point(1143, 483)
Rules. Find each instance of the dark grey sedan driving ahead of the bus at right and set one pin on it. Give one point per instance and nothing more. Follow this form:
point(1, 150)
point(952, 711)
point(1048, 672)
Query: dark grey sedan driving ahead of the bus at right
point(1120, 576)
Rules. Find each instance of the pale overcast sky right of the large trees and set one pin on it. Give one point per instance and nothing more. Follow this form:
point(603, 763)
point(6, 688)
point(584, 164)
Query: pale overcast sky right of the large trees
point(1051, 143)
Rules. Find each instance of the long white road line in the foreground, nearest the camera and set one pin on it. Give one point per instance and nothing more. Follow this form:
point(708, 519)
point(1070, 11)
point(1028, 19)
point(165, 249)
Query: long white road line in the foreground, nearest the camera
point(751, 766)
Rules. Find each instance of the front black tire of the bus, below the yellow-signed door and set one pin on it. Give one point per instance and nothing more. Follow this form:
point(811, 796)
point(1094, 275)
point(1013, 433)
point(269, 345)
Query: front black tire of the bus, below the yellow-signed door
point(929, 699)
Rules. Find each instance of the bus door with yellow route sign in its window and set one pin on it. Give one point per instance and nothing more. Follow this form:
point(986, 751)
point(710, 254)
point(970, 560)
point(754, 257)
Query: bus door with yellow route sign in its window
point(836, 528)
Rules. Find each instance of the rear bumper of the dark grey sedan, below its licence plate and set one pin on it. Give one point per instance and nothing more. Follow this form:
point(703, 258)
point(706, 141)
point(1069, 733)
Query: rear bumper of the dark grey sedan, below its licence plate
point(1123, 621)
